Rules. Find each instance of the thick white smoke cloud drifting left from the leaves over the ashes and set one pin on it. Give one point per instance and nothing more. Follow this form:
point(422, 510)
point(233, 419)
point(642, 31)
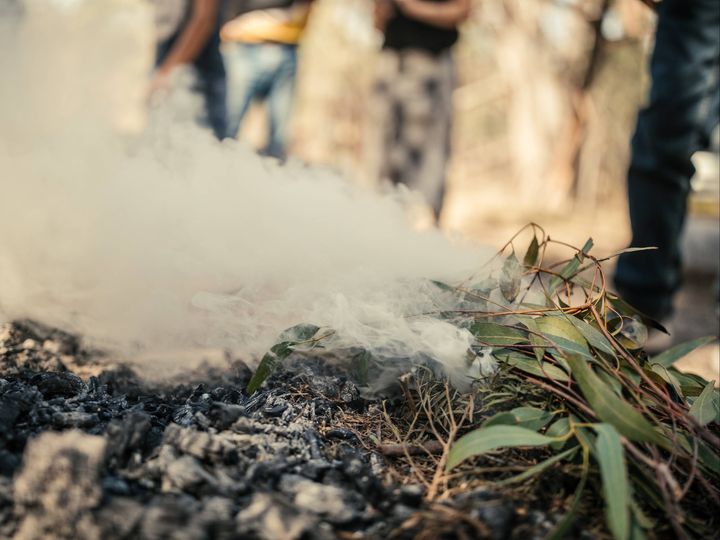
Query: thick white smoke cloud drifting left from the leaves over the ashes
point(169, 239)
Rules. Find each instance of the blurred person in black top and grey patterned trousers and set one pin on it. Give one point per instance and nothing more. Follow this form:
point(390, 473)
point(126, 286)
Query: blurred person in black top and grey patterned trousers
point(412, 98)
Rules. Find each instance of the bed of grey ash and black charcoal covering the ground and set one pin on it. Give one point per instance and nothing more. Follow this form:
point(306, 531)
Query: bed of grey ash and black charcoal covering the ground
point(111, 456)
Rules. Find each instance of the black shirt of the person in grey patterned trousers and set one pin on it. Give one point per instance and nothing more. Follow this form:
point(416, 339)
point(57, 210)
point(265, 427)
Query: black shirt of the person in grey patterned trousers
point(402, 32)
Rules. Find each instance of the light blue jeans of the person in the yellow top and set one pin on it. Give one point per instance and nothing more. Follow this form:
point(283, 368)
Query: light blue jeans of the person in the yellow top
point(261, 71)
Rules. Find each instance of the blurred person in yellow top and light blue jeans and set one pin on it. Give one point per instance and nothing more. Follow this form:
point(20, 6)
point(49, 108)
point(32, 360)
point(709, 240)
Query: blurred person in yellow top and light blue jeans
point(260, 51)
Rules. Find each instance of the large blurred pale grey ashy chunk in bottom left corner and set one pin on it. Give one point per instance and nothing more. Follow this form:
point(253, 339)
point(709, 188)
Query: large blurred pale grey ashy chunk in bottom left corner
point(58, 486)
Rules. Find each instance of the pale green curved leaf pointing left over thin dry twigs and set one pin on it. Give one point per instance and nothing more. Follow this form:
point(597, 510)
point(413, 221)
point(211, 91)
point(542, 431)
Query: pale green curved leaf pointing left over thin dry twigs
point(486, 439)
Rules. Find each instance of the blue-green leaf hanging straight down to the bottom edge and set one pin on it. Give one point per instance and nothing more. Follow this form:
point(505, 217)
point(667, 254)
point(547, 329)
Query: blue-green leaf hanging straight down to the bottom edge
point(616, 488)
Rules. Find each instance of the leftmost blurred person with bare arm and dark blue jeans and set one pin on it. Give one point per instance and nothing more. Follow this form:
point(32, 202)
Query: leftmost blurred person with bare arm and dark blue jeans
point(187, 33)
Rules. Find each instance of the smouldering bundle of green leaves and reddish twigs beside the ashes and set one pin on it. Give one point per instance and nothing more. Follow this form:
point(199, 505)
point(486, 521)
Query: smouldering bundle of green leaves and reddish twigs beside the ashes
point(575, 392)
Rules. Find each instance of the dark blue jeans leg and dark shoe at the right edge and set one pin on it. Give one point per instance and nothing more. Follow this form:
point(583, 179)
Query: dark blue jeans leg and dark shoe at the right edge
point(682, 110)
